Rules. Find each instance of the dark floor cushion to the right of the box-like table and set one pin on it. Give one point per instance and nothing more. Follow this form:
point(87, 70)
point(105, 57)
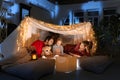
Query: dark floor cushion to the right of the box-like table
point(95, 64)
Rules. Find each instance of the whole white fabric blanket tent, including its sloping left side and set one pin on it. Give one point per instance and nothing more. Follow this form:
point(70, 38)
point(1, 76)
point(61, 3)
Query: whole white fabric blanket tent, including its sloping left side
point(29, 27)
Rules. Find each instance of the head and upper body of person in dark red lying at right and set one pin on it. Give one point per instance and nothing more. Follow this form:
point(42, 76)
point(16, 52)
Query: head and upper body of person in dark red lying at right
point(82, 49)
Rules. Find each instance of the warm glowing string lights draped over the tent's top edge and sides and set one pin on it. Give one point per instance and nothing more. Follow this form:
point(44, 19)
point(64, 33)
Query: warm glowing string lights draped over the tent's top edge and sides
point(85, 29)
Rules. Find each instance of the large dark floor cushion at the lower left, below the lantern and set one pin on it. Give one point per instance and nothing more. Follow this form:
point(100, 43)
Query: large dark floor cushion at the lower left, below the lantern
point(32, 70)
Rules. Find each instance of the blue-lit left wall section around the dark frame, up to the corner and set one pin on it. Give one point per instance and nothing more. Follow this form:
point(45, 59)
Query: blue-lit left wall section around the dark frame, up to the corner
point(41, 11)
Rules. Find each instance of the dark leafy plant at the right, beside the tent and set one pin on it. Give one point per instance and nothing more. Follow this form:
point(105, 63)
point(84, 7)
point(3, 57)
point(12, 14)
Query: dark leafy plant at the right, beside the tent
point(108, 34)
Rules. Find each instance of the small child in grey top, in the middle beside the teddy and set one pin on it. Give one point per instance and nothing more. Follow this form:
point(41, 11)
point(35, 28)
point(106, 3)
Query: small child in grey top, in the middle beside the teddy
point(57, 47)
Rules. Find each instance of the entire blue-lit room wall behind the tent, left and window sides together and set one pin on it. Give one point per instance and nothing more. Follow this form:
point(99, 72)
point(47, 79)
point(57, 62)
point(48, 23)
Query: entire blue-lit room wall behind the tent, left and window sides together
point(57, 13)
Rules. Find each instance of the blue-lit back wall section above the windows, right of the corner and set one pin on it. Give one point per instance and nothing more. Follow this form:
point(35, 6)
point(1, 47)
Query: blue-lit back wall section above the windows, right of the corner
point(64, 10)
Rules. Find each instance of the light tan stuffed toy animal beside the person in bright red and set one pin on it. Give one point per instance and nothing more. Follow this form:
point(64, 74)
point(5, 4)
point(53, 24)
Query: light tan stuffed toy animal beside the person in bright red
point(46, 52)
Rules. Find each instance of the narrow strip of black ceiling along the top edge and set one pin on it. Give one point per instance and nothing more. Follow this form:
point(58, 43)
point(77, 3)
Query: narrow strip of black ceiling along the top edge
point(65, 2)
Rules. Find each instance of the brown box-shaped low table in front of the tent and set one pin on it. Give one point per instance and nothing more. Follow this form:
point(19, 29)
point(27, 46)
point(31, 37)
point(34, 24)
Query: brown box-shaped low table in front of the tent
point(66, 63)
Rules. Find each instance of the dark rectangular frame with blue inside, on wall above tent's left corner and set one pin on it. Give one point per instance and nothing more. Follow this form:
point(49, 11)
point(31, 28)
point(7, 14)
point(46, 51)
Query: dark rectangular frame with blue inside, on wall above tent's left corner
point(24, 11)
